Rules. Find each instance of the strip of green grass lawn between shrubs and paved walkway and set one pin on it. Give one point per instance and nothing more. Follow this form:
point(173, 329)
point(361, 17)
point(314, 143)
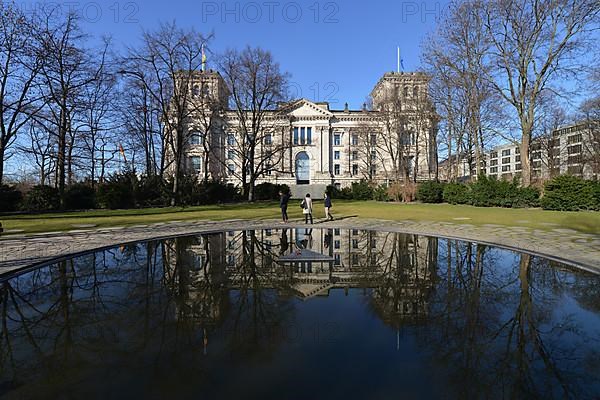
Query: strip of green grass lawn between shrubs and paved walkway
point(588, 222)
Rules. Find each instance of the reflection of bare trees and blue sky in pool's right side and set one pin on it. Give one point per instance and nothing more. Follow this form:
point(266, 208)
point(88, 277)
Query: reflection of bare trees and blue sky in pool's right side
point(497, 328)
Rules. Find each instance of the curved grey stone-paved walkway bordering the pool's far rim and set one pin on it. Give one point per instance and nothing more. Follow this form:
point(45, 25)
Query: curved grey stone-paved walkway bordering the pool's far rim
point(564, 245)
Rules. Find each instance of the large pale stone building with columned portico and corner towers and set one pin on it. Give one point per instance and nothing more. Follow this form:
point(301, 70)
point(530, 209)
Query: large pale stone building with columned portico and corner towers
point(309, 143)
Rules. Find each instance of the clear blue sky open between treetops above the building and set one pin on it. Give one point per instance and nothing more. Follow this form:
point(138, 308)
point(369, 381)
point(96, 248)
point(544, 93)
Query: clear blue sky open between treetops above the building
point(335, 50)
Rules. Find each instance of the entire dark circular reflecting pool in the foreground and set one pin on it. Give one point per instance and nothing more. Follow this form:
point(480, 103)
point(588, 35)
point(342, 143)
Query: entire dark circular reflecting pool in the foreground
point(301, 314)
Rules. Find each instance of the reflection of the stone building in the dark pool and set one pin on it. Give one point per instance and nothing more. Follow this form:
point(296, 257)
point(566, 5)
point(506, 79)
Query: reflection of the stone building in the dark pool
point(397, 267)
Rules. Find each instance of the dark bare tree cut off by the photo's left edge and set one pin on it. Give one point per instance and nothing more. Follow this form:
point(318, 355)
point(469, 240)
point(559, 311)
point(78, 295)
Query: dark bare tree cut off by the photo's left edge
point(20, 62)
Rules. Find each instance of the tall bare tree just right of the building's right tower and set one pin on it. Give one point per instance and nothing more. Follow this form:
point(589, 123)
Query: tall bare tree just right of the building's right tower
point(456, 55)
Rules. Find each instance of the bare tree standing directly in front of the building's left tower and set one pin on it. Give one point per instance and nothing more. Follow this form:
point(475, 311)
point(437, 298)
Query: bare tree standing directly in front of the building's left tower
point(166, 64)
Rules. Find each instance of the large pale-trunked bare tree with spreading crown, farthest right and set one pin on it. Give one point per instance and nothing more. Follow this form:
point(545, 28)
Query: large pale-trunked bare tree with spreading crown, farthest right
point(533, 42)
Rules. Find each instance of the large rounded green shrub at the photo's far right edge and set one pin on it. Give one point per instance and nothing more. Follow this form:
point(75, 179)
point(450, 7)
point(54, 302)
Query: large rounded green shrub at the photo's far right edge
point(570, 193)
